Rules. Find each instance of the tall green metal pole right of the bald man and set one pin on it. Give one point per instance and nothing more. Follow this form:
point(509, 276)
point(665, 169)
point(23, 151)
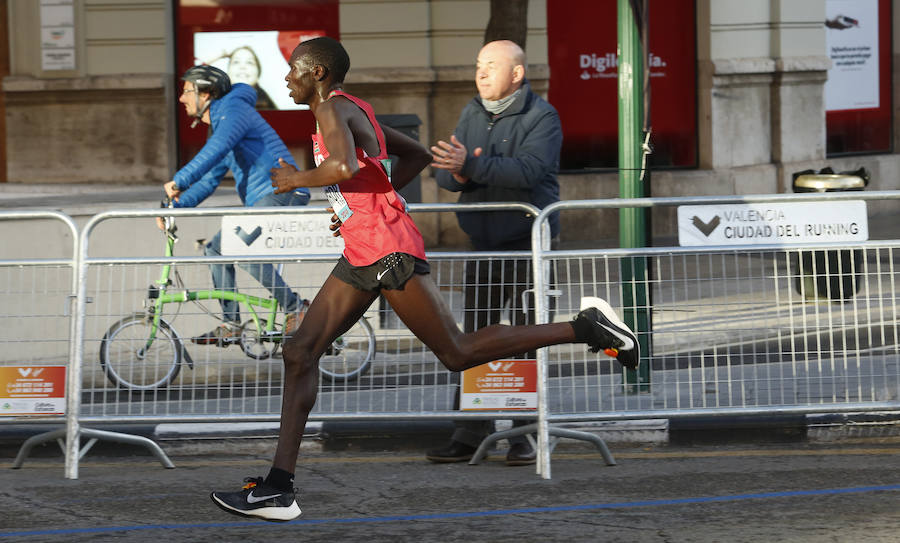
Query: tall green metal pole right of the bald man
point(632, 232)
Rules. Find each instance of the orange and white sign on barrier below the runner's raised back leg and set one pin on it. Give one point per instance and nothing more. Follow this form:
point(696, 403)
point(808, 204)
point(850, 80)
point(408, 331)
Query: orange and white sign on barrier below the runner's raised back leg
point(502, 384)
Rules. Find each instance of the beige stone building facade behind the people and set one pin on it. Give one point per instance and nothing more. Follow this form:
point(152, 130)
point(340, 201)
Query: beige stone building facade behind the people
point(91, 90)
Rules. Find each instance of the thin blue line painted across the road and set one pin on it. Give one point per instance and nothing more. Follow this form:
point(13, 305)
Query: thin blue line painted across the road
point(446, 516)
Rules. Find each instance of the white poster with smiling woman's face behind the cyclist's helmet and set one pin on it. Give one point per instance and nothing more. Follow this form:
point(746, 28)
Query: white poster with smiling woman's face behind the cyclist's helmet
point(257, 58)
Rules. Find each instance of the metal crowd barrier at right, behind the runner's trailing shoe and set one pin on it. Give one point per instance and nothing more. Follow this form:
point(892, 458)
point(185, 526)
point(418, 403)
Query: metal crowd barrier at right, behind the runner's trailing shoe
point(733, 330)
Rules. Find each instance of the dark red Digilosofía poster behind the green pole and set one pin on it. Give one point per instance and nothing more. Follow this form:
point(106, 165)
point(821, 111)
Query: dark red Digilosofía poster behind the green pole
point(584, 84)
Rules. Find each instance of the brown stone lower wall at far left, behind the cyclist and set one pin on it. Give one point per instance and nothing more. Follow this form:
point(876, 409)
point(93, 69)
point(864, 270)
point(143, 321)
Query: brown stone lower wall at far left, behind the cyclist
point(102, 129)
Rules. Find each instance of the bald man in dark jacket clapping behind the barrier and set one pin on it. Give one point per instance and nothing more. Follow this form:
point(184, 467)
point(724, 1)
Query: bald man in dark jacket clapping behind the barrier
point(505, 149)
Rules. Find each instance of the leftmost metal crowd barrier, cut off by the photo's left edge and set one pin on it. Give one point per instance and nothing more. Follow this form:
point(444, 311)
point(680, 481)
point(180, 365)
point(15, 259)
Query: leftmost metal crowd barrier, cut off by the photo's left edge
point(37, 291)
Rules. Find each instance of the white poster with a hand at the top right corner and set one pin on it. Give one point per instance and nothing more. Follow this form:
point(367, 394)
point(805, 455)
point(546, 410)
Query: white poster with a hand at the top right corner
point(851, 33)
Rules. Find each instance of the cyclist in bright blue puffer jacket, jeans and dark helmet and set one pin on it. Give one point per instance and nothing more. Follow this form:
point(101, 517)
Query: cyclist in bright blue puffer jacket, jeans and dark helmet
point(239, 140)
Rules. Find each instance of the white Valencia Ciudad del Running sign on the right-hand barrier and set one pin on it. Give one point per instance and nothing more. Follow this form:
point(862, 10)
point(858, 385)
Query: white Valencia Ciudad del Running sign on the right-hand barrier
point(776, 223)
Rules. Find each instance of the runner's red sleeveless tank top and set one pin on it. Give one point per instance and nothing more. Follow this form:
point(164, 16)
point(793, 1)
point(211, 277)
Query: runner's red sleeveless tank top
point(375, 223)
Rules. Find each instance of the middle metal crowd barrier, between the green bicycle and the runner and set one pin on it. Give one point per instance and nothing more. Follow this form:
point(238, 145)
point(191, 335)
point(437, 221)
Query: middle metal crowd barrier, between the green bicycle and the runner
point(223, 384)
